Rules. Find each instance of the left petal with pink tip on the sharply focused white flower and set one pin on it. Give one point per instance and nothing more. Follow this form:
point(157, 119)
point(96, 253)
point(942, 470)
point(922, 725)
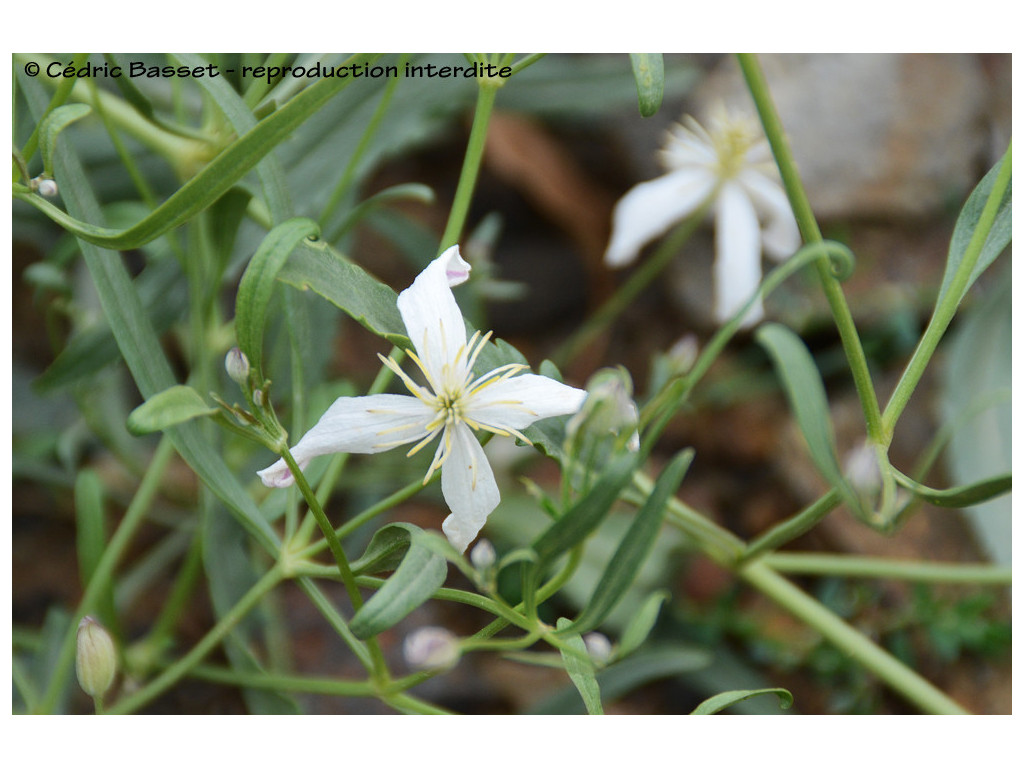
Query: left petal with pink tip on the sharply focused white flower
point(356, 425)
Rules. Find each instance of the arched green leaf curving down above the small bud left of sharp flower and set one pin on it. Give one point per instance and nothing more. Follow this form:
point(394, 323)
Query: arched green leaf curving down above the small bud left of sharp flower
point(258, 284)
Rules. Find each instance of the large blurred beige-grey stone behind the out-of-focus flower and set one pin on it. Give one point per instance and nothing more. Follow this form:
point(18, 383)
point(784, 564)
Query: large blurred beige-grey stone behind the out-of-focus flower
point(877, 135)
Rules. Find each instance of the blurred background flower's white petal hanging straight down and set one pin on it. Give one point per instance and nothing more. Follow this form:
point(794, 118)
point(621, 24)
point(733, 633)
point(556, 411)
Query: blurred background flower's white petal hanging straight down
point(738, 255)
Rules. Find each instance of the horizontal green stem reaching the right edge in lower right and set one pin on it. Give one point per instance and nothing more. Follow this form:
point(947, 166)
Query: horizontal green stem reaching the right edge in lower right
point(880, 568)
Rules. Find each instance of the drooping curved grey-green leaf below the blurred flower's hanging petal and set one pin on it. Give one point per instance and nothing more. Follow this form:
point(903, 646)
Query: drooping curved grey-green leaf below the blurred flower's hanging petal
point(806, 394)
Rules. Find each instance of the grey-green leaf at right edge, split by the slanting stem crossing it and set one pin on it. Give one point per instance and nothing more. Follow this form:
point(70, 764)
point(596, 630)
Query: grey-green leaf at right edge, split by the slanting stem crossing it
point(998, 239)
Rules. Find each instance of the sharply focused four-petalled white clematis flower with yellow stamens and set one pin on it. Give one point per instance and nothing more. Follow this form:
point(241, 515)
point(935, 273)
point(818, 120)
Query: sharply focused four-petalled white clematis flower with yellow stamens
point(453, 406)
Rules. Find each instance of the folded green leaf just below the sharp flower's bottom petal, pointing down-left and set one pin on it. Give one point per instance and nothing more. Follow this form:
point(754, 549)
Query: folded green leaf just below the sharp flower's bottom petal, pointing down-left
point(421, 574)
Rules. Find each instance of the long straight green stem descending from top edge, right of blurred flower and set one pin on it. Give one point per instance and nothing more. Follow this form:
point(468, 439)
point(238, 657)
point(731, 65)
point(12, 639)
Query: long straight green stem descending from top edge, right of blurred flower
point(809, 230)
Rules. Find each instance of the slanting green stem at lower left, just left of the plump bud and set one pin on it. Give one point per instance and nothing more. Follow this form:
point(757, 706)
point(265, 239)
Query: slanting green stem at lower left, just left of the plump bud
point(105, 569)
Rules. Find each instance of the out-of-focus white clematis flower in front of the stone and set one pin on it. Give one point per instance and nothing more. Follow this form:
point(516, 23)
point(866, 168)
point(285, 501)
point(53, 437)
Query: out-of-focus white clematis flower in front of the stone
point(731, 164)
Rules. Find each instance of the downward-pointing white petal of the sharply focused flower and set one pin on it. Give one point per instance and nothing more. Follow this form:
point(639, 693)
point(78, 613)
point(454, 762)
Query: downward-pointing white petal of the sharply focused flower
point(470, 489)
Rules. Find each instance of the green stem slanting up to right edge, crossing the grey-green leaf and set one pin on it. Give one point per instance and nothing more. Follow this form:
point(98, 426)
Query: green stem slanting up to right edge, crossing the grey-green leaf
point(946, 310)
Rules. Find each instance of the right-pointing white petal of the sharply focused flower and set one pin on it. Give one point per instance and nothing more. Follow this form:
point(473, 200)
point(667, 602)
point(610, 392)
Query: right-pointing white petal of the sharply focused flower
point(519, 402)
